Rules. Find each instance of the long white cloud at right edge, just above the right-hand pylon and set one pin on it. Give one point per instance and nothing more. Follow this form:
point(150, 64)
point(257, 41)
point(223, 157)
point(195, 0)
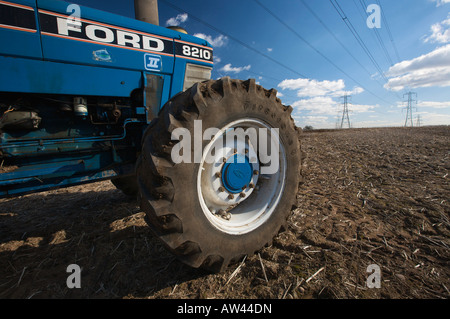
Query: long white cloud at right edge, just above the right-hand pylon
point(431, 69)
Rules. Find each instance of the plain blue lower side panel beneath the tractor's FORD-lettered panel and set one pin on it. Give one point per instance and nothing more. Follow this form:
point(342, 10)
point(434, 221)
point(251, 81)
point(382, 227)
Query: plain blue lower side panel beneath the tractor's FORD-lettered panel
point(36, 76)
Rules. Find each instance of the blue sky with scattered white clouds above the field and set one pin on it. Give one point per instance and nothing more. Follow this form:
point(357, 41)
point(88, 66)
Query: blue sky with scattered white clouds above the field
point(304, 49)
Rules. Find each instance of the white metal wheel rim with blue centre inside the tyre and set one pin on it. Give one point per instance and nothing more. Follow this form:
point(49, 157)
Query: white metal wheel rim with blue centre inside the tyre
point(233, 195)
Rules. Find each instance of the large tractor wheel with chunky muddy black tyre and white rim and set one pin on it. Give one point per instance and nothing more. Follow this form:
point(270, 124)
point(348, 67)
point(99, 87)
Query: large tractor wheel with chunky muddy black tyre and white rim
point(173, 194)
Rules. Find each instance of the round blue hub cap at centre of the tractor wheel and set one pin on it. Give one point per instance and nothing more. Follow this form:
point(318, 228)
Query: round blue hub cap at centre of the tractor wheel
point(237, 173)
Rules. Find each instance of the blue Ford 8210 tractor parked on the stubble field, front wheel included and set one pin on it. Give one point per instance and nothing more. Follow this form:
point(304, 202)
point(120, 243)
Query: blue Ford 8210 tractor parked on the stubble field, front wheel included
point(87, 95)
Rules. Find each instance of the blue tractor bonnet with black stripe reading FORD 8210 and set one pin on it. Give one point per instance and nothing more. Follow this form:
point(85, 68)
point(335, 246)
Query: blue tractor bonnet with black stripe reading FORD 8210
point(77, 49)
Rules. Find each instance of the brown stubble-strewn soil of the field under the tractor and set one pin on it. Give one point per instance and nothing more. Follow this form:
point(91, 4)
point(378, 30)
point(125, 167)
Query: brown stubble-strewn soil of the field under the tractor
point(369, 197)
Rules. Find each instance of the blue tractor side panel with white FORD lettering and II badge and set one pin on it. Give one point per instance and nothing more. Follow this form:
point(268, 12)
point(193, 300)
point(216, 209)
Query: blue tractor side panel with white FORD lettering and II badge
point(115, 42)
